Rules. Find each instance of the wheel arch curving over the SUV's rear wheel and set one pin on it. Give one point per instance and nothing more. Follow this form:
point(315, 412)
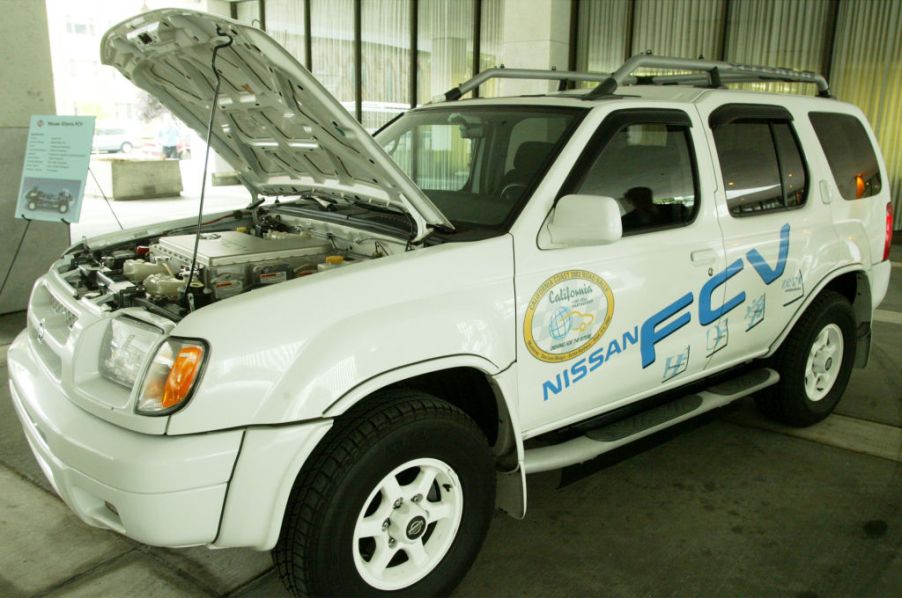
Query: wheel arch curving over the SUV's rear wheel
point(853, 283)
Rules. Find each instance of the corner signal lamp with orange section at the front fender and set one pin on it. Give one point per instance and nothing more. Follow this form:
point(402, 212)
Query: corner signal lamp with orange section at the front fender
point(171, 377)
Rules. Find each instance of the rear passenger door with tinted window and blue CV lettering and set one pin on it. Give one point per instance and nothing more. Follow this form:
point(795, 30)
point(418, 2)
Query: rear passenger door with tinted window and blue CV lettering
point(775, 238)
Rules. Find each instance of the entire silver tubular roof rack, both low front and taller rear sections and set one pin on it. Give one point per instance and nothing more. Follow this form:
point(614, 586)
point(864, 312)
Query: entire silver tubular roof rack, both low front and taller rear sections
point(713, 74)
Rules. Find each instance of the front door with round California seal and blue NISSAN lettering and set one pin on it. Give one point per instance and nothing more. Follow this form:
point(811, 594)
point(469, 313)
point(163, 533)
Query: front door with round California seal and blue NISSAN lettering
point(600, 326)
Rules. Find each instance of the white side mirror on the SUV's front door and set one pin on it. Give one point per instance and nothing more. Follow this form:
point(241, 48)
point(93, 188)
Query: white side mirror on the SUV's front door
point(585, 220)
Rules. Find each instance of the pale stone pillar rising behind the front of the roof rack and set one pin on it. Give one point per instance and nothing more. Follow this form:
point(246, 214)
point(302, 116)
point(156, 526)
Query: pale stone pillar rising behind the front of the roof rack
point(536, 36)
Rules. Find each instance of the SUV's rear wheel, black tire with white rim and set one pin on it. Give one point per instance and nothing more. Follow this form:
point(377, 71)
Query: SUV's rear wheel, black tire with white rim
point(814, 363)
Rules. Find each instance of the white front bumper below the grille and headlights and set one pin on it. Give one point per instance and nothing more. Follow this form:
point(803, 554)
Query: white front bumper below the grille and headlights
point(159, 490)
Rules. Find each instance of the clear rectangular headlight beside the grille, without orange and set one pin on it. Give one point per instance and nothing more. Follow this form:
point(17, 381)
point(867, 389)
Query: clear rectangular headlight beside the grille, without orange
point(126, 347)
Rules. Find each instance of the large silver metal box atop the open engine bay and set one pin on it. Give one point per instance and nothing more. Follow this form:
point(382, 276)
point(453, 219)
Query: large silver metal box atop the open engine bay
point(231, 262)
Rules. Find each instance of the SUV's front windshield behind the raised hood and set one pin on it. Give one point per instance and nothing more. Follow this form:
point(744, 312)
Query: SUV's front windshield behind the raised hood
point(478, 164)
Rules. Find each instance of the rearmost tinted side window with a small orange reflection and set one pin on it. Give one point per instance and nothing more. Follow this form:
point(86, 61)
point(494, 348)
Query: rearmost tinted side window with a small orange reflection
point(849, 153)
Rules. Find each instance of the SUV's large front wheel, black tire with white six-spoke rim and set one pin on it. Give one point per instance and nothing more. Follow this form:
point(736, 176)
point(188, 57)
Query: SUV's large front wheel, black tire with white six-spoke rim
point(381, 451)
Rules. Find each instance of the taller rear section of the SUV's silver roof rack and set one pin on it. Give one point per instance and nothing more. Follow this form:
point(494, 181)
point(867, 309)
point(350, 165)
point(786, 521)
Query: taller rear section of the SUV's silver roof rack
point(715, 74)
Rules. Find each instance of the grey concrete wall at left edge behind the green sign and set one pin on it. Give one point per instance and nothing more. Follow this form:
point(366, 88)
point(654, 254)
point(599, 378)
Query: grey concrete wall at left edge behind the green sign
point(27, 89)
